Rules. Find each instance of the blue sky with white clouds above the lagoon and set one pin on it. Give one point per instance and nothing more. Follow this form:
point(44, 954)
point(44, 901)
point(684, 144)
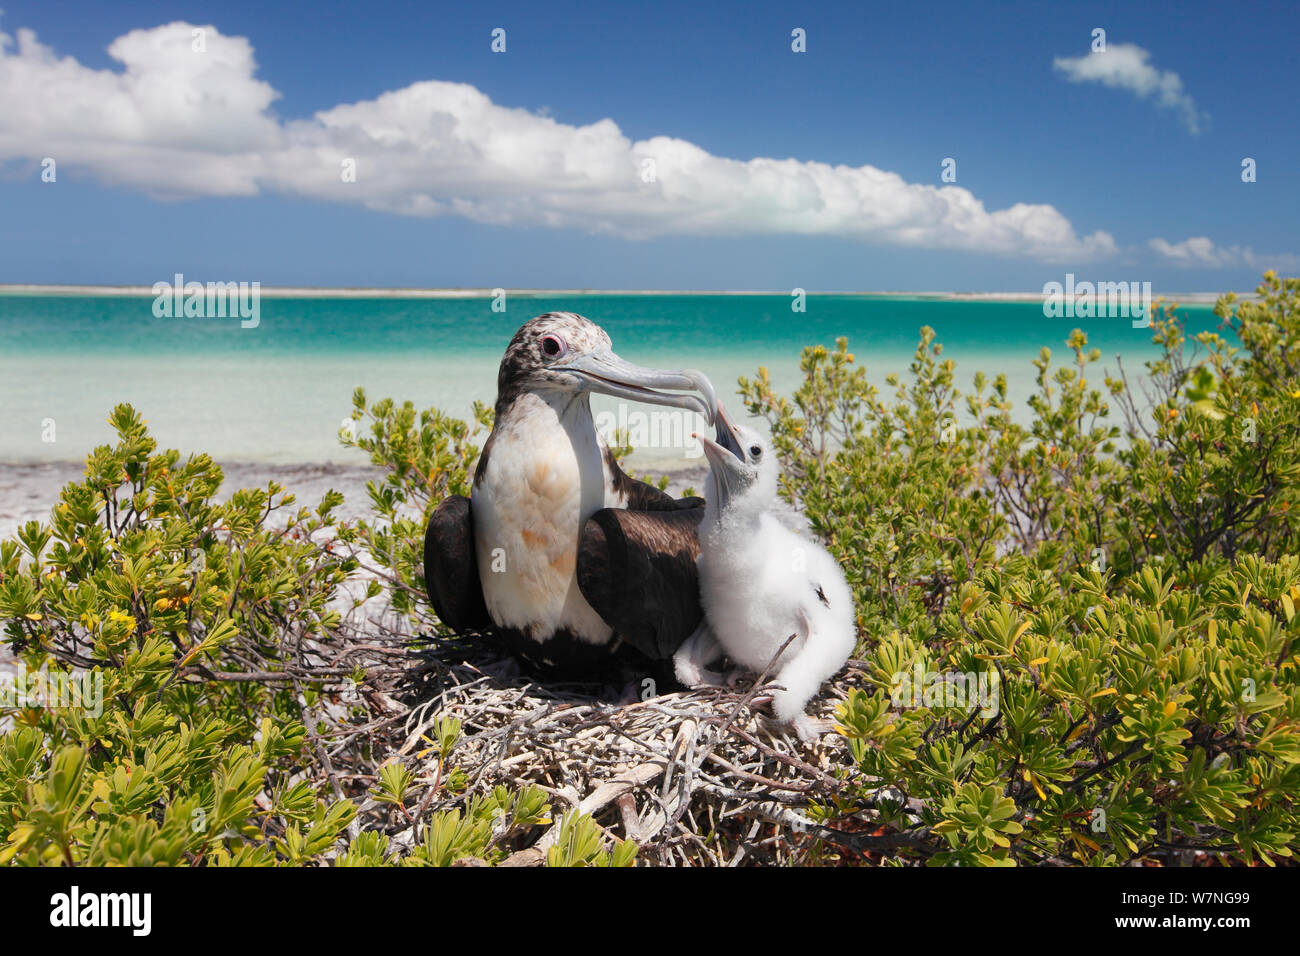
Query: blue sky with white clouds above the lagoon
point(898, 89)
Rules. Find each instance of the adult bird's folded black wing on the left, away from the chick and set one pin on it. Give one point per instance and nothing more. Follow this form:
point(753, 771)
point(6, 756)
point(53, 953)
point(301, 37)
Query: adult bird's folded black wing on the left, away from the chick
point(452, 568)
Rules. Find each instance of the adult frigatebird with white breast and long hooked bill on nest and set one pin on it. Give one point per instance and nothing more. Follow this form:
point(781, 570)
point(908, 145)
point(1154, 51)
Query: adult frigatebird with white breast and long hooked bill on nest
point(558, 550)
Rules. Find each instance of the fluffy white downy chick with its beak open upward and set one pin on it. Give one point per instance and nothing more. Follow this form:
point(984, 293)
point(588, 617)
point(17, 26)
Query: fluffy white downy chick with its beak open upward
point(760, 583)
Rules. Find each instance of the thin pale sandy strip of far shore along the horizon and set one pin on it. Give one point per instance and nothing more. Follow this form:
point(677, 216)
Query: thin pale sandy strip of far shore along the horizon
point(474, 293)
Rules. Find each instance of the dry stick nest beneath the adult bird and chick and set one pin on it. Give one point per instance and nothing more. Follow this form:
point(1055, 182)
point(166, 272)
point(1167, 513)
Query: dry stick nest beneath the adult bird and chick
point(694, 777)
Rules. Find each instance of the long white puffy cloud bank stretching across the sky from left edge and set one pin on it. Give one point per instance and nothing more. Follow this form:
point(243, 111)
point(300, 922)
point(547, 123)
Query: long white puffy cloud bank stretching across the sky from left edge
point(176, 123)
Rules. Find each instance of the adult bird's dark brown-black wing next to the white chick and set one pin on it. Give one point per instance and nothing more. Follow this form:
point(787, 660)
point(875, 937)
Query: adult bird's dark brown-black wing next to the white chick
point(638, 570)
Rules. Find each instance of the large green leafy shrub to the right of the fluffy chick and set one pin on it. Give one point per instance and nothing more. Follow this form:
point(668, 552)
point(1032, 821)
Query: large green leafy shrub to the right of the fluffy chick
point(1129, 592)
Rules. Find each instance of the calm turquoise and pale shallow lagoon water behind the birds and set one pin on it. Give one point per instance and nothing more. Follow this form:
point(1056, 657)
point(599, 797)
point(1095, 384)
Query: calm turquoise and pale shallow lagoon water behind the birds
point(279, 392)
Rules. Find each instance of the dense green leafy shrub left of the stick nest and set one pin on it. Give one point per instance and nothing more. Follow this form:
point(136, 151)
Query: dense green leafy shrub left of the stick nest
point(172, 602)
